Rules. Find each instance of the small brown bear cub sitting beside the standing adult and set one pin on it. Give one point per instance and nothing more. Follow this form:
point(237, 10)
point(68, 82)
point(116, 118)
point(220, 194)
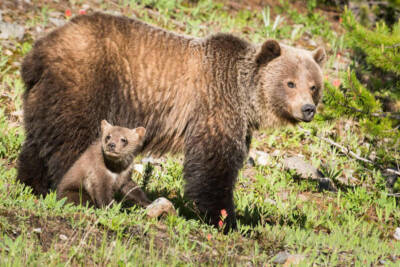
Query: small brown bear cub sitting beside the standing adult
point(104, 170)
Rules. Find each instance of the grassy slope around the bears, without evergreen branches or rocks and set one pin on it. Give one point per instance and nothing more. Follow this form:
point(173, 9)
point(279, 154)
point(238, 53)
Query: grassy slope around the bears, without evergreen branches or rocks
point(276, 211)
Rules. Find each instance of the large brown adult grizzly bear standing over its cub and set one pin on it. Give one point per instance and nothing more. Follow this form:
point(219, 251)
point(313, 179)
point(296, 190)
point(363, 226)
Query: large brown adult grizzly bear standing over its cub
point(200, 96)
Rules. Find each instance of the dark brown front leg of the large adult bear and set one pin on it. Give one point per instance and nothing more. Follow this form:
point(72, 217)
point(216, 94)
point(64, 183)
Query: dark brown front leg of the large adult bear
point(211, 166)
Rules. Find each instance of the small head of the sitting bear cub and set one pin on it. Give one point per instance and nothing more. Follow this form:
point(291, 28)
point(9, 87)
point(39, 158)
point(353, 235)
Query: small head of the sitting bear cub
point(119, 142)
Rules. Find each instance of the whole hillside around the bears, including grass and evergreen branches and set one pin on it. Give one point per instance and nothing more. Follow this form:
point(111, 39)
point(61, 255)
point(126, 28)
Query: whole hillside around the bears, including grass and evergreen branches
point(345, 215)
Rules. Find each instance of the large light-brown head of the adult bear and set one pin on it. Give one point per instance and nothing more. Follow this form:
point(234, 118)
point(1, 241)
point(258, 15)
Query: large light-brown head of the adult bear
point(290, 83)
